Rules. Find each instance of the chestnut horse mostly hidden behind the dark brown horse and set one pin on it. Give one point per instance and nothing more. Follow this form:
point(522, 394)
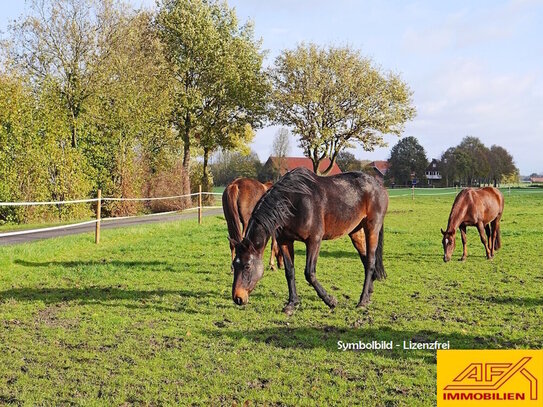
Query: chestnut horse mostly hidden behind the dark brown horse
point(238, 201)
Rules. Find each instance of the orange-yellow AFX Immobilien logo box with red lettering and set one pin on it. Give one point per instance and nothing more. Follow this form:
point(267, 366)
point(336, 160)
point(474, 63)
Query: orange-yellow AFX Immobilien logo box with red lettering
point(489, 377)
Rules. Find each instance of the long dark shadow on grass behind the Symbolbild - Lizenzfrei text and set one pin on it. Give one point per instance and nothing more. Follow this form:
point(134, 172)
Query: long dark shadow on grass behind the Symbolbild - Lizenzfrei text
point(328, 337)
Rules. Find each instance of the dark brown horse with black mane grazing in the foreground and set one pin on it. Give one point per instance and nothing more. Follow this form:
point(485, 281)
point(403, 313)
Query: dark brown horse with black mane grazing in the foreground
point(305, 207)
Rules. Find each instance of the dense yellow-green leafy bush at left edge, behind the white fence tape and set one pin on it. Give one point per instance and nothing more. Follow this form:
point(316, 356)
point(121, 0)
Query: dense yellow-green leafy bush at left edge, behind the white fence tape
point(35, 161)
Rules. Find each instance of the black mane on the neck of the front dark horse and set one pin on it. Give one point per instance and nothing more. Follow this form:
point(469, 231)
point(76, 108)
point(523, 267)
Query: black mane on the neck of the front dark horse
point(275, 208)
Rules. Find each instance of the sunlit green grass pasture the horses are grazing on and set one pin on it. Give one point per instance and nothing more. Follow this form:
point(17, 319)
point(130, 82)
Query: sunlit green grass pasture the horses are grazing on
point(146, 318)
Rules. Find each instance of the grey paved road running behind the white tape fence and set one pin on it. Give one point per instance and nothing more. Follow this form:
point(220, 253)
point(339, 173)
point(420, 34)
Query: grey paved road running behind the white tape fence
point(10, 240)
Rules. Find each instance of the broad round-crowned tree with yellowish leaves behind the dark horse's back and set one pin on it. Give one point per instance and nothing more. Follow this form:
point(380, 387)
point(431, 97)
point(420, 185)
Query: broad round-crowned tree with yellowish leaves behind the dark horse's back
point(334, 99)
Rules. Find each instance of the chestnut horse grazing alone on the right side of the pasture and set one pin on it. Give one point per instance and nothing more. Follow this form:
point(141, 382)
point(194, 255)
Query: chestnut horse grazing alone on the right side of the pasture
point(482, 208)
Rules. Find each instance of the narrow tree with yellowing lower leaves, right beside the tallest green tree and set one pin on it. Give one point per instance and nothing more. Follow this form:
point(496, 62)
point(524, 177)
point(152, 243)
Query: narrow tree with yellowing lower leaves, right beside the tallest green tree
point(235, 100)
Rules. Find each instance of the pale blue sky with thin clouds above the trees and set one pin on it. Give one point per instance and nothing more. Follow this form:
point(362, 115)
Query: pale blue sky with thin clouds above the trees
point(475, 67)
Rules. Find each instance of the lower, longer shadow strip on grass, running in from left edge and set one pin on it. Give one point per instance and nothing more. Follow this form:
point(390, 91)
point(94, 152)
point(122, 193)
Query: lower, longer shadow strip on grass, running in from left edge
point(108, 296)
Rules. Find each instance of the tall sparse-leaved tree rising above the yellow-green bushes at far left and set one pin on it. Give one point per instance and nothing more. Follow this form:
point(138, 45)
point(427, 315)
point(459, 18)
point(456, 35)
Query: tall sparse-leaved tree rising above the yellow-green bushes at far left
point(65, 42)
